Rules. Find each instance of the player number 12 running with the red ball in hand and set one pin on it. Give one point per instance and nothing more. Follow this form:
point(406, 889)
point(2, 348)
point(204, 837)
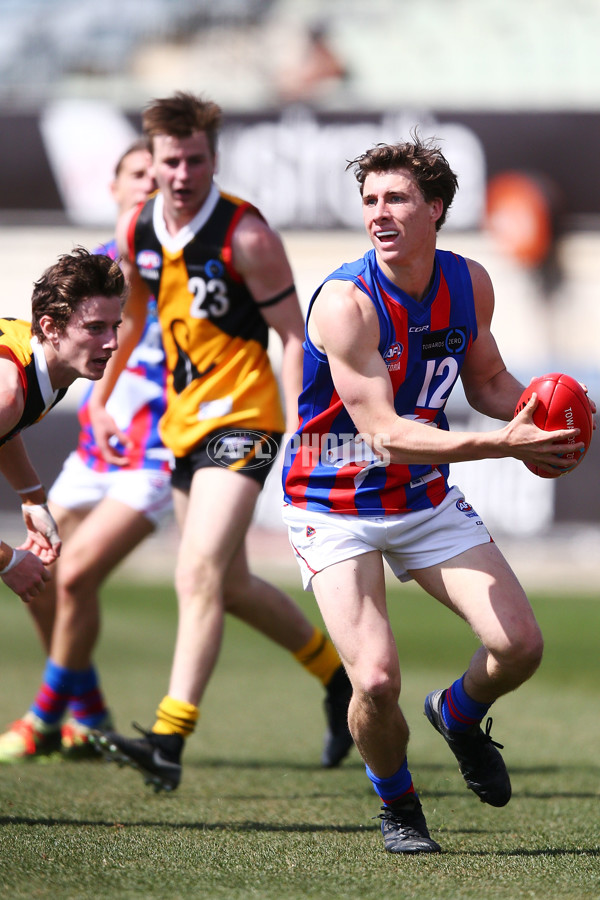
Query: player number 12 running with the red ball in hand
point(386, 340)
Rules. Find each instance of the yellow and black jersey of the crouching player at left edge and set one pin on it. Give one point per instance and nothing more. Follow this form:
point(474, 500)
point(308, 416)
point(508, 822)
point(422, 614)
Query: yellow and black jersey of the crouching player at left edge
point(19, 345)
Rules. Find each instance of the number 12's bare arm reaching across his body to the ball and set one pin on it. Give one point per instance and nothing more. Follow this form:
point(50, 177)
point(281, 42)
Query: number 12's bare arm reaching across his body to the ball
point(344, 325)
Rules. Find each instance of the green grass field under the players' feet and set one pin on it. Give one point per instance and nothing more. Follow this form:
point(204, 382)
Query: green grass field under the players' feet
point(255, 816)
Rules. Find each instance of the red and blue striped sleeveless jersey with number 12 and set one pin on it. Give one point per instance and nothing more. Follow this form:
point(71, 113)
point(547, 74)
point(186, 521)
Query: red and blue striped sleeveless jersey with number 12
point(423, 345)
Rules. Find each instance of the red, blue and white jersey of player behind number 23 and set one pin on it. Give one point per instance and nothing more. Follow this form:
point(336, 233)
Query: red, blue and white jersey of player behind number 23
point(137, 402)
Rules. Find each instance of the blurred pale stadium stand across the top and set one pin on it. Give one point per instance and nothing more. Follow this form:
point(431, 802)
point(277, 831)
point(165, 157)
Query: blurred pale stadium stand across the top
point(484, 54)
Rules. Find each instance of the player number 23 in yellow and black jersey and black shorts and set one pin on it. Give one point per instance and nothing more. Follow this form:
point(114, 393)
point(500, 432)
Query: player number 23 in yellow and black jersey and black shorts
point(221, 278)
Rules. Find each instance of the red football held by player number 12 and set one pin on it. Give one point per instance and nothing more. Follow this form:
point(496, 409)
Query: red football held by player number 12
point(562, 403)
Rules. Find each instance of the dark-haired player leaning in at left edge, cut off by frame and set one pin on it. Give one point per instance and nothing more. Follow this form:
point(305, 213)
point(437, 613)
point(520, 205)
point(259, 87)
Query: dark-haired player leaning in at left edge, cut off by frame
point(76, 310)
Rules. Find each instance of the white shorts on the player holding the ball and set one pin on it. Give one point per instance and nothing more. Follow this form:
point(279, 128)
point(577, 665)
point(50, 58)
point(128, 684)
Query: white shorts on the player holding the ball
point(406, 541)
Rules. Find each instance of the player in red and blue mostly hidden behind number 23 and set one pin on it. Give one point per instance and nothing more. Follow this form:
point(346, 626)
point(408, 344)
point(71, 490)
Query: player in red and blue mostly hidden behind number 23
point(103, 512)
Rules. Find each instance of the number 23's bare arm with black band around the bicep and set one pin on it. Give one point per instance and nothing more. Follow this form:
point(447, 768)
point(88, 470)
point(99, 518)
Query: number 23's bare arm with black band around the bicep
point(259, 256)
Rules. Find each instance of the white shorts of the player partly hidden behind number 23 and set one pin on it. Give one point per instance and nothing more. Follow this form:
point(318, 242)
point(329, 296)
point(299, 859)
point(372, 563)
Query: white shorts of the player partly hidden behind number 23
point(146, 490)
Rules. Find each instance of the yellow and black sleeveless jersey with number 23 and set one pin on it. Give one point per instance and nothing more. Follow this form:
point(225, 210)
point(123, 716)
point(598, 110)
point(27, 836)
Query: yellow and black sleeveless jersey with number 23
point(214, 335)
